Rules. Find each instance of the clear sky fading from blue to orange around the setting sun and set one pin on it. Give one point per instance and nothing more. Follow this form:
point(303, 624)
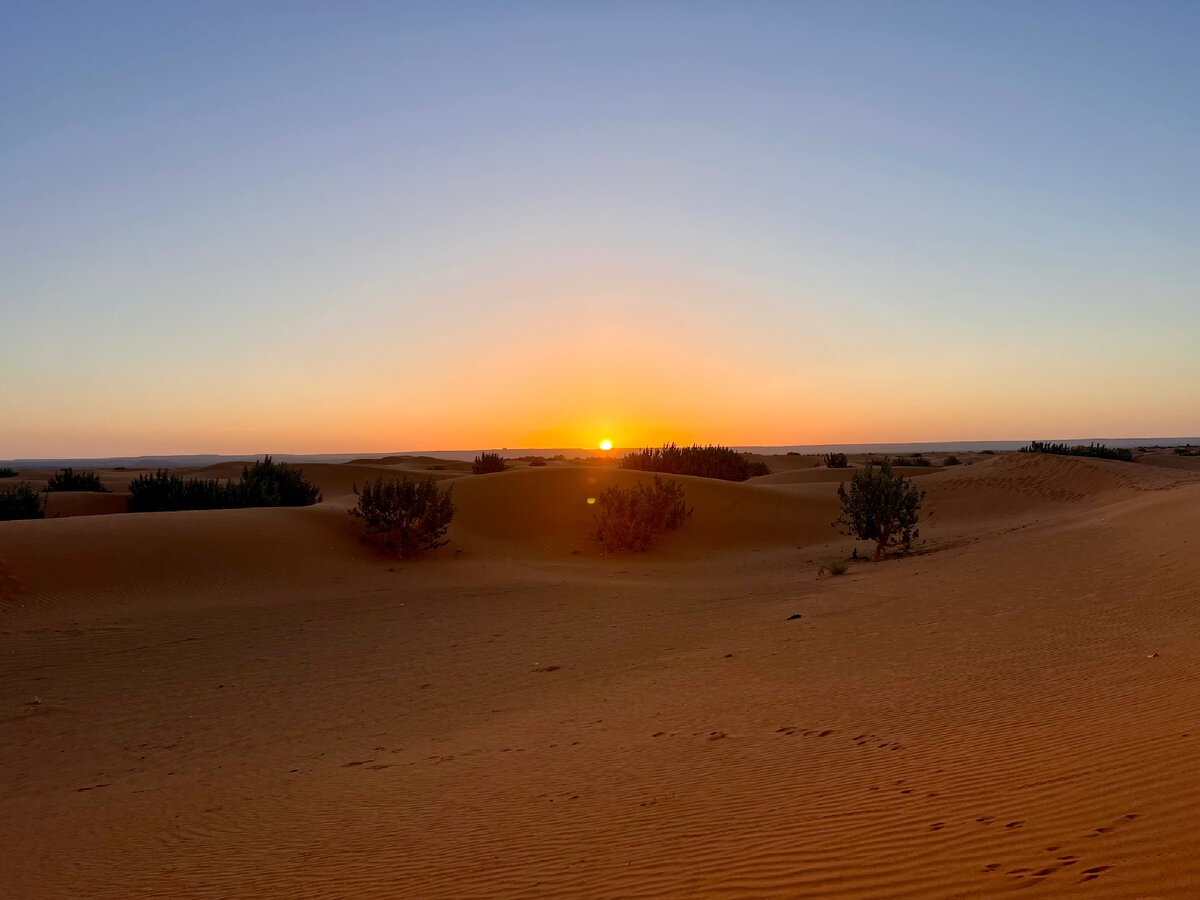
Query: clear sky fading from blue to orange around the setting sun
point(329, 227)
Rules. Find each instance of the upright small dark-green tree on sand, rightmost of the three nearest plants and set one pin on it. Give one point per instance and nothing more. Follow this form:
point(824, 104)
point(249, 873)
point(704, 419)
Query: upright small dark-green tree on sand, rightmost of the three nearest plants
point(880, 507)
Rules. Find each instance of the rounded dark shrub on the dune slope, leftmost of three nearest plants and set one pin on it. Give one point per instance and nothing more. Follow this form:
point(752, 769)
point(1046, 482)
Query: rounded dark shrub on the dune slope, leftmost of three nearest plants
point(411, 515)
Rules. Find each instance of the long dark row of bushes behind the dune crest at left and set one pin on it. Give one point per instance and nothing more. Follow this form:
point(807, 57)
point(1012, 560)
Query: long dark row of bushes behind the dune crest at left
point(265, 484)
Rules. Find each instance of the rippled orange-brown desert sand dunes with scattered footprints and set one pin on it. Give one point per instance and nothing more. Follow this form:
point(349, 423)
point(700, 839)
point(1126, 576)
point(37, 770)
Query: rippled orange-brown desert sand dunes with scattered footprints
point(255, 703)
